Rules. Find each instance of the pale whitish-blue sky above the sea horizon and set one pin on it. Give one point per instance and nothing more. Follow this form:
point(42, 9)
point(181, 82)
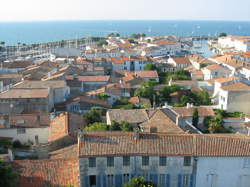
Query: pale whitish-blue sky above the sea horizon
point(44, 10)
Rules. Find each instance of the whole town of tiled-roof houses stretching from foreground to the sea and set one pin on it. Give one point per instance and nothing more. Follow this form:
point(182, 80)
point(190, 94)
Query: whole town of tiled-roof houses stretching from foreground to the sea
point(115, 111)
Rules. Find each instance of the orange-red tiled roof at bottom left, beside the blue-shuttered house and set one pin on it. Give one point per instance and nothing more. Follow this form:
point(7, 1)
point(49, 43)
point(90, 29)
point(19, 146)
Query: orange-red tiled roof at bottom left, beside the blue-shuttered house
point(40, 173)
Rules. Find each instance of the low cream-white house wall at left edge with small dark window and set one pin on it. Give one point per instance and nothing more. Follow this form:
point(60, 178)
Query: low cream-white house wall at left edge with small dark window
point(24, 135)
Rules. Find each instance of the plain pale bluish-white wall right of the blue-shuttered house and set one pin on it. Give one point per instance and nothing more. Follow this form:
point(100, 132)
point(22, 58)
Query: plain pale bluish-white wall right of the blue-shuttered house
point(223, 172)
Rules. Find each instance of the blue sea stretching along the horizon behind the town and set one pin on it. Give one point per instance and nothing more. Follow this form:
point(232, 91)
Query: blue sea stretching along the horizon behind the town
point(46, 31)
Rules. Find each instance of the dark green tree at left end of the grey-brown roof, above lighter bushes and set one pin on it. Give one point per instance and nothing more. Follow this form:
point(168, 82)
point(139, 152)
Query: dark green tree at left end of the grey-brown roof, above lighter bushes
point(94, 115)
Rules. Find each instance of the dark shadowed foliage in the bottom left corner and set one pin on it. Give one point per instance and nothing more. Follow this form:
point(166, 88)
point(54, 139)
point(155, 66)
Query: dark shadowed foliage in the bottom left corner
point(7, 175)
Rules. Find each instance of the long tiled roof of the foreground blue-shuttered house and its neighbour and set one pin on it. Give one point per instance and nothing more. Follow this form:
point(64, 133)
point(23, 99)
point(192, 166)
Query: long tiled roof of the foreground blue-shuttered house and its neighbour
point(118, 144)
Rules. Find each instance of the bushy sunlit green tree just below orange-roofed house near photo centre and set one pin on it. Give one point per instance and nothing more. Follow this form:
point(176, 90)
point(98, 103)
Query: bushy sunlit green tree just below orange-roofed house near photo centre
point(146, 90)
